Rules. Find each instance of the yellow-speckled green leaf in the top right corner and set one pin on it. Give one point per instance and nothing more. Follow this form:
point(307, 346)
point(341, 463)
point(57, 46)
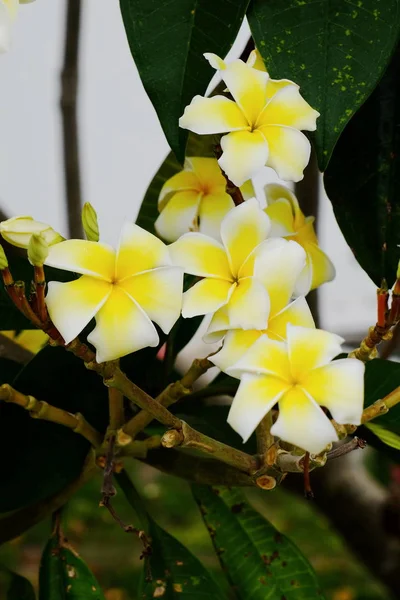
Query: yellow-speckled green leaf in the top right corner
point(336, 50)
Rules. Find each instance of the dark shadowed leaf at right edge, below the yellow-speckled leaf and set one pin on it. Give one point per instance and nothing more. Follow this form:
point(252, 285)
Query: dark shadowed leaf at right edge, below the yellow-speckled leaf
point(363, 180)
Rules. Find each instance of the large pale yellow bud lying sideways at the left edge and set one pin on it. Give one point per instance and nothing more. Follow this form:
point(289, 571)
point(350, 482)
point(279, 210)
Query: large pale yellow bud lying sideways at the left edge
point(18, 231)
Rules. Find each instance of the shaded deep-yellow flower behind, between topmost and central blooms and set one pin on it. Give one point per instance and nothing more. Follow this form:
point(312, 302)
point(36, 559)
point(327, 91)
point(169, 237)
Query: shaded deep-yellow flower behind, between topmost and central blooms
point(194, 199)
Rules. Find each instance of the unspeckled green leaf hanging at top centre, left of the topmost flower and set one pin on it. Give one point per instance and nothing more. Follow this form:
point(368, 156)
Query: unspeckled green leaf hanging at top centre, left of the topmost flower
point(167, 40)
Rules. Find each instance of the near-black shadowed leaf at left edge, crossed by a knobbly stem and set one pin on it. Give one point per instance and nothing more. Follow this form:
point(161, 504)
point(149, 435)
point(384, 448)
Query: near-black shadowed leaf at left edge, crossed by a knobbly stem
point(44, 457)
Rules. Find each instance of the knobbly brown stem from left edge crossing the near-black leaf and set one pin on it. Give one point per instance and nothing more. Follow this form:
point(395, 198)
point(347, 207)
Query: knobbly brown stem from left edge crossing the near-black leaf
point(39, 409)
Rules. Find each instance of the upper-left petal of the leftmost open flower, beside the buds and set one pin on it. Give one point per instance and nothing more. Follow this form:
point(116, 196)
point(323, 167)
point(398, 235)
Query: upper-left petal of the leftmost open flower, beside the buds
point(86, 258)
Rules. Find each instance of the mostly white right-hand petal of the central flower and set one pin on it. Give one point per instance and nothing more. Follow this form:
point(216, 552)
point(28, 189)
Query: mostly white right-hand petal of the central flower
point(278, 265)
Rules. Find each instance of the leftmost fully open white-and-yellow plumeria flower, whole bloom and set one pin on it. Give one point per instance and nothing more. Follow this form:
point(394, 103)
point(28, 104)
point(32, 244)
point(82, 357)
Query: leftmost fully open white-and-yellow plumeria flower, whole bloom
point(125, 290)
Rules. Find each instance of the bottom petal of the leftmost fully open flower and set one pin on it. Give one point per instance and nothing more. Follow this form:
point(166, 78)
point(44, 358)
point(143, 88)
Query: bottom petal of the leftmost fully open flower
point(122, 327)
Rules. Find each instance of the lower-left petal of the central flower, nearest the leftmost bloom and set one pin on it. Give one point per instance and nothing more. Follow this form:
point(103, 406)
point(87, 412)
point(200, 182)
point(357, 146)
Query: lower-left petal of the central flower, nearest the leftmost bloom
point(206, 296)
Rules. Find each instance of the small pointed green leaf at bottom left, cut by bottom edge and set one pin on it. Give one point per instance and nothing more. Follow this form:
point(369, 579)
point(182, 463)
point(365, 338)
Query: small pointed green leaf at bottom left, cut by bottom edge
point(64, 575)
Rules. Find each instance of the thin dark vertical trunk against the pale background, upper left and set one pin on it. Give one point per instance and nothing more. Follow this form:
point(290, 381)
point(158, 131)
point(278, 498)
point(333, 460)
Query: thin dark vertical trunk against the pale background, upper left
point(68, 104)
